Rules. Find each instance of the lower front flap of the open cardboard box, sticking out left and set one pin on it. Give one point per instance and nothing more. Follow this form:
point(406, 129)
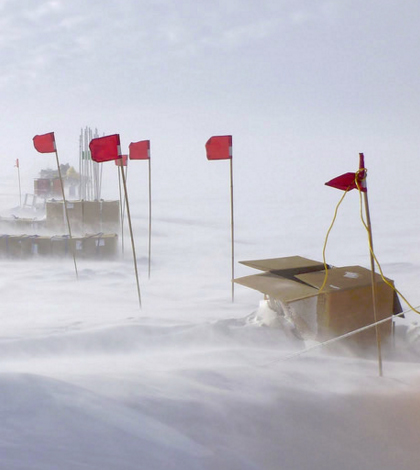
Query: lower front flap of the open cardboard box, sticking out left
point(278, 287)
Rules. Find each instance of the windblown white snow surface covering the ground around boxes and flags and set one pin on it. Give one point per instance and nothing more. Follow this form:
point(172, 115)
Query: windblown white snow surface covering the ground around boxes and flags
point(193, 381)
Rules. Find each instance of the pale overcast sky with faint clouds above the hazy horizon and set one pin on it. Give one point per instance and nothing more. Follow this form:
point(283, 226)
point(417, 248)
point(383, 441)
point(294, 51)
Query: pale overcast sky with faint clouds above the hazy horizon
point(301, 80)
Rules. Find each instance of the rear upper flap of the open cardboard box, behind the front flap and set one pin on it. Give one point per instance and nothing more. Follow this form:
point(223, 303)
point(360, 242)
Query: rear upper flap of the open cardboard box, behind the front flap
point(288, 266)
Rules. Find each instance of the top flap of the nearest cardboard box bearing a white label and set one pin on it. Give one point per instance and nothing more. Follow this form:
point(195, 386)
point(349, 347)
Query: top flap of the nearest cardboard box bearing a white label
point(346, 277)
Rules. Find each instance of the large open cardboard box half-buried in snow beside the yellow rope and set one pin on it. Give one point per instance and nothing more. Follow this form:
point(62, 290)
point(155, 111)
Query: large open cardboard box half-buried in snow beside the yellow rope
point(293, 284)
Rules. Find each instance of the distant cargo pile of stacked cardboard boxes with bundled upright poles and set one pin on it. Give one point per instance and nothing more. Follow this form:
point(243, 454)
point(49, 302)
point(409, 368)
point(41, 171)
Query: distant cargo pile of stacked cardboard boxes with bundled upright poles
point(40, 225)
